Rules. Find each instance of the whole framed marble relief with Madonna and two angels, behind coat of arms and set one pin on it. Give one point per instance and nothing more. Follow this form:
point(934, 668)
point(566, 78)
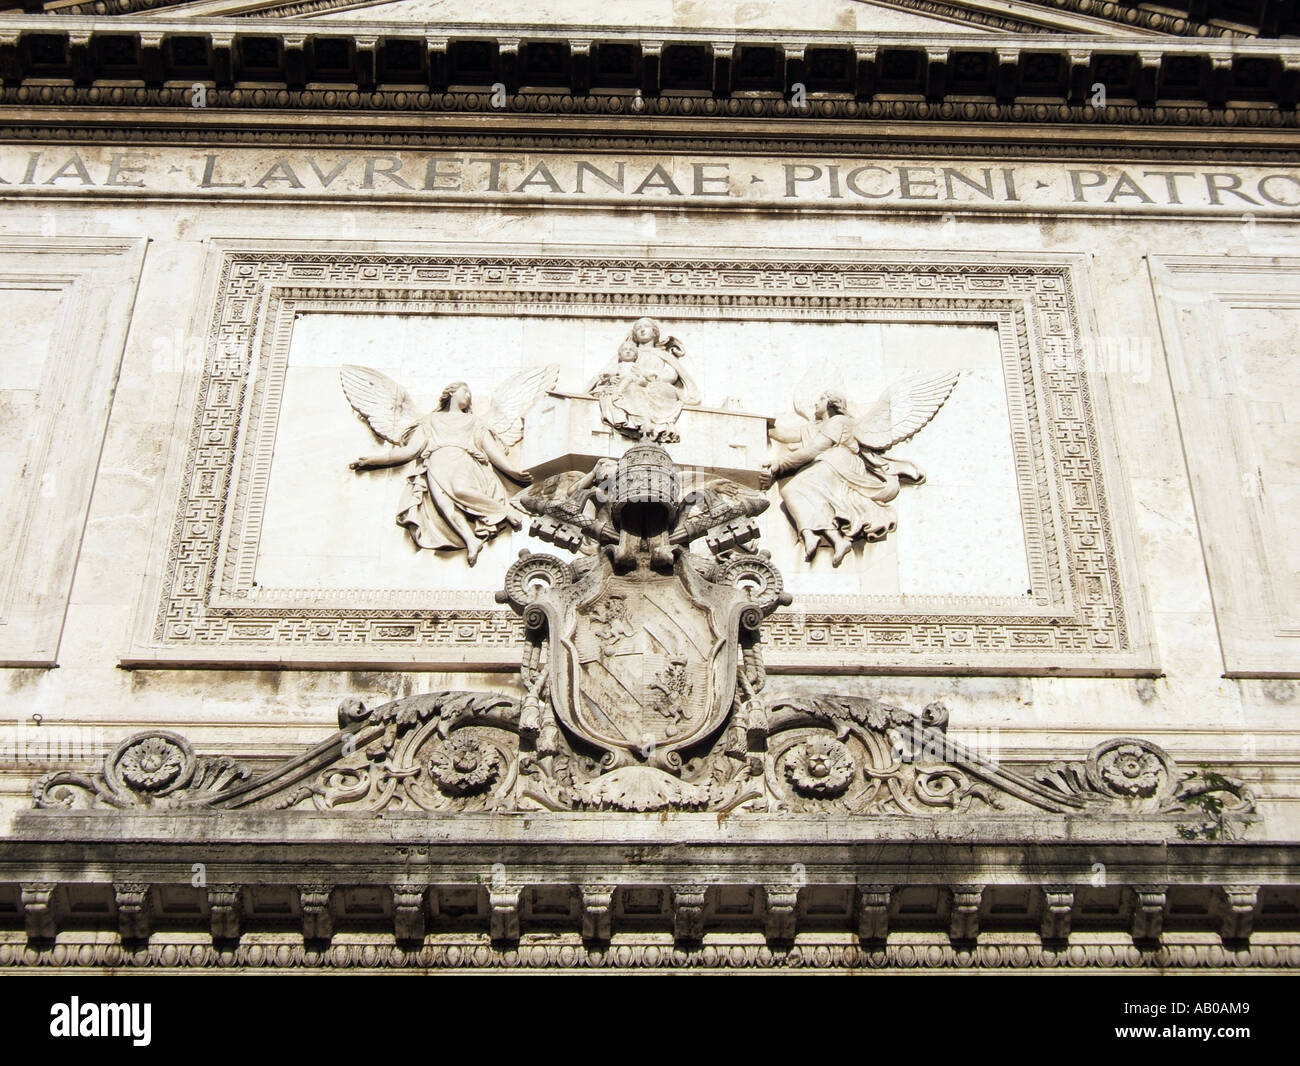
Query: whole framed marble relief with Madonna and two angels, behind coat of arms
point(274, 558)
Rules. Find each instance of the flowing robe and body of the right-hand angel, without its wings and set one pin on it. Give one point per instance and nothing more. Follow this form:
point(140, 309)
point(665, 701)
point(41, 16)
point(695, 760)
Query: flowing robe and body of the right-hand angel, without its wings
point(839, 489)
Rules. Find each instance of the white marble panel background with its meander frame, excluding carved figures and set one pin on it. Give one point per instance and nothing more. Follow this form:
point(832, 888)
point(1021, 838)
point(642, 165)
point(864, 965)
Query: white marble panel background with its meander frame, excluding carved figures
point(1007, 558)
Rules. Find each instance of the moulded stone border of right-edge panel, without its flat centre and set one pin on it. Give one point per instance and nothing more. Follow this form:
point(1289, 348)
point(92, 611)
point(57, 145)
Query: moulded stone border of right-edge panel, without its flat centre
point(1258, 616)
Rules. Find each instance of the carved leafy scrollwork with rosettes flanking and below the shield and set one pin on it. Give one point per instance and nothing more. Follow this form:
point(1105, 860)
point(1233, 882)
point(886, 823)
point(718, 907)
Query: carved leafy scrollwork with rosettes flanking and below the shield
point(462, 752)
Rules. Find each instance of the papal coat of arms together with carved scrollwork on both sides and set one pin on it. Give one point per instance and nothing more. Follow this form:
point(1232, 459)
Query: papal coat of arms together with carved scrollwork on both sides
point(643, 690)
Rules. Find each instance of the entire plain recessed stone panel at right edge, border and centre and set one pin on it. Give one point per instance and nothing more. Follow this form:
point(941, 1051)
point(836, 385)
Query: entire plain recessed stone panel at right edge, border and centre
point(1233, 332)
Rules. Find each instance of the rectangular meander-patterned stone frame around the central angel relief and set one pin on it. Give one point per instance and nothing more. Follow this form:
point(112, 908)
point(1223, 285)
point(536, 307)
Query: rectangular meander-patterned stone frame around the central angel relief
point(1085, 614)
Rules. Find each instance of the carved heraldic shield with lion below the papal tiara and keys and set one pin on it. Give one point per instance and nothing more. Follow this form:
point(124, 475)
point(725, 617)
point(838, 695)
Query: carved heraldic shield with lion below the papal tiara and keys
point(643, 664)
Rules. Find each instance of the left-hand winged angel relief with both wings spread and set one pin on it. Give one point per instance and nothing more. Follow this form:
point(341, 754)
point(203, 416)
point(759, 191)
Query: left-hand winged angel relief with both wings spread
point(456, 499)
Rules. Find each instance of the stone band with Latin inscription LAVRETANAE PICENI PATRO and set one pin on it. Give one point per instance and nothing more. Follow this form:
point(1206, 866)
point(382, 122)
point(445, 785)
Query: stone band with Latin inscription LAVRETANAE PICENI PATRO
point(608, 179)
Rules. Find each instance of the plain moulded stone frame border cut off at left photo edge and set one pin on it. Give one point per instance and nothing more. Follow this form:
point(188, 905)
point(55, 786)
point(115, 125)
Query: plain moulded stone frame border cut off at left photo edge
point(41, 530)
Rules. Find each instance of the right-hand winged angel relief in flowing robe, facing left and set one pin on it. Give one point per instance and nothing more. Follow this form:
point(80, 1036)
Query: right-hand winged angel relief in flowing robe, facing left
point(839, 480)
